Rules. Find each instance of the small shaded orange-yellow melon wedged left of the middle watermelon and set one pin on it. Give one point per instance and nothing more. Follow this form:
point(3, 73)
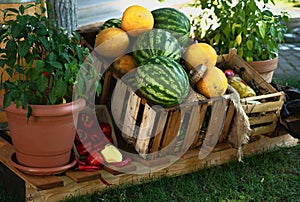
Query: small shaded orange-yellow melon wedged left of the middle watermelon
point(124, 64)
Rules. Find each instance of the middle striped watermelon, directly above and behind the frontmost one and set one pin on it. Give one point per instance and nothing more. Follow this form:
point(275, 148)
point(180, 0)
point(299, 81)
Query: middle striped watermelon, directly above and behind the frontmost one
point(156, 42)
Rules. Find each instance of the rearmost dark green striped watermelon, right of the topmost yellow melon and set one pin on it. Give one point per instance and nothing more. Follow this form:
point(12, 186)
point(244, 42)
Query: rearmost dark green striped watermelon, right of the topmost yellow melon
point(173, 20)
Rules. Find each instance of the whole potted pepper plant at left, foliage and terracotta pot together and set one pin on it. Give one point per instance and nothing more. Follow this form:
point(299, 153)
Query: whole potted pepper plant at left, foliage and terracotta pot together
point(49, 75)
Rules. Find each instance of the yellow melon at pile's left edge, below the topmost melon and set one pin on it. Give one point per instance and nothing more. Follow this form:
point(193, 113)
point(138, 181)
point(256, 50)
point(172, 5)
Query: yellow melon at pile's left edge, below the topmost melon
point(111, 42)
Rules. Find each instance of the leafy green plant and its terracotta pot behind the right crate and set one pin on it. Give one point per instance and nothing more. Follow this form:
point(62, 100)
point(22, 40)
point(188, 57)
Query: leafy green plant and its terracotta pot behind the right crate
point(249, 26)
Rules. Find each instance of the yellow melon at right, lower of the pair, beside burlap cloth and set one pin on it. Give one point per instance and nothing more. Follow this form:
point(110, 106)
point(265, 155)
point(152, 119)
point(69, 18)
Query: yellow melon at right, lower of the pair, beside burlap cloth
point(213, 84)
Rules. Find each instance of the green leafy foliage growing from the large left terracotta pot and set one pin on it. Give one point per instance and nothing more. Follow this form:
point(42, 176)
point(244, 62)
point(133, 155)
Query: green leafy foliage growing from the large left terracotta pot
point(43, 62)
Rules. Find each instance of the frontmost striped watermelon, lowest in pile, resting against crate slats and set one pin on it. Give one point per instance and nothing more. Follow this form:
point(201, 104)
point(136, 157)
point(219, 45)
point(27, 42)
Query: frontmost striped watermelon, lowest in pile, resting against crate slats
point(162, 81)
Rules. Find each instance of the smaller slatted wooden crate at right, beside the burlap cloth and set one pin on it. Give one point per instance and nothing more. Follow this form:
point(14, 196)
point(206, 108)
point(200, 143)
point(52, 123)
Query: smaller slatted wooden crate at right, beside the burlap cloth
point(264, 109)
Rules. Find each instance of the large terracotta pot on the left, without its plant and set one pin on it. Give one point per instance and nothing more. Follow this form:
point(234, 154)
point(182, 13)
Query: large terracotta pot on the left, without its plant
point(47, 139)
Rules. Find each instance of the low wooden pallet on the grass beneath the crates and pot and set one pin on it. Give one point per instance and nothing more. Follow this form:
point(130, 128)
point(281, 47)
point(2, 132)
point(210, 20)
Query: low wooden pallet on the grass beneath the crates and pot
point(72, 182)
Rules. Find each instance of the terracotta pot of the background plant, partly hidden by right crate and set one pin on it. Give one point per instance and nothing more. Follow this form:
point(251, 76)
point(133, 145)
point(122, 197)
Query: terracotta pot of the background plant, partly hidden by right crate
point(265, 68)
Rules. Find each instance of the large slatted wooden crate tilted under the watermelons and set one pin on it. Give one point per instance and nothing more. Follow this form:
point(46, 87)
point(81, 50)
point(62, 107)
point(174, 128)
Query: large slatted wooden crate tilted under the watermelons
point(154, 131)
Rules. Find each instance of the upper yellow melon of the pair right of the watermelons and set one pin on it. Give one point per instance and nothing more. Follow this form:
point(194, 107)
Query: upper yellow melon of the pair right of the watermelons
point(200, 53)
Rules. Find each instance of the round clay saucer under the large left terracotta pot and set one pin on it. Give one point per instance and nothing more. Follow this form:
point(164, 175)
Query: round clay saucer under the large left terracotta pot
point(42, 171)
